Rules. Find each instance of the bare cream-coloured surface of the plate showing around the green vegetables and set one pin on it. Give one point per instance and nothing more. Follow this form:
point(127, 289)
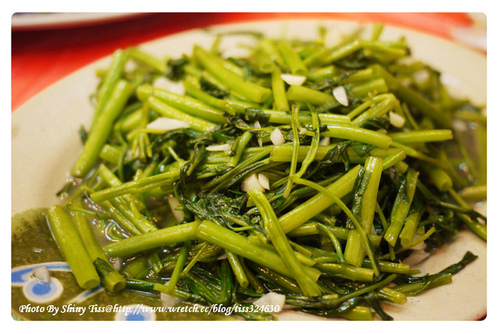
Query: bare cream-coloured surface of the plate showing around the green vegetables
point(45, 144)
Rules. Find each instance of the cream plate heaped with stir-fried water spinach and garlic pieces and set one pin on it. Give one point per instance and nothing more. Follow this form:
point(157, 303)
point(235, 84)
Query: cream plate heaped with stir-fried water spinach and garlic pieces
point(272, 170)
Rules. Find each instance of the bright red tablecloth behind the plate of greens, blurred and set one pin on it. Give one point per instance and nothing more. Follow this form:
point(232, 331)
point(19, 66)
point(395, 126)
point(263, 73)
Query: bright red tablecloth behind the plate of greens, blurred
point(41, 57)
